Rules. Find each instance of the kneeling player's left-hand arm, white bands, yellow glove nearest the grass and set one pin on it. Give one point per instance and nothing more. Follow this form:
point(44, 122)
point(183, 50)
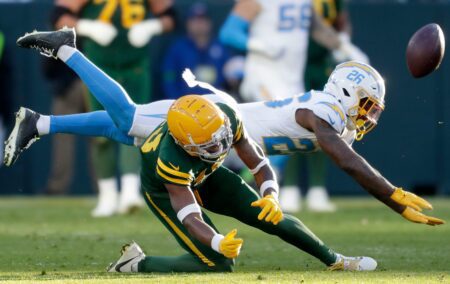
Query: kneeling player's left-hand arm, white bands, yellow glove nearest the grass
point(190, 215)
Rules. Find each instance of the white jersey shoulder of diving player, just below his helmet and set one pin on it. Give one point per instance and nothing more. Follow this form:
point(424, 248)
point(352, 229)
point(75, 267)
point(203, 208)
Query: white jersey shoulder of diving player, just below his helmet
point(327, 107)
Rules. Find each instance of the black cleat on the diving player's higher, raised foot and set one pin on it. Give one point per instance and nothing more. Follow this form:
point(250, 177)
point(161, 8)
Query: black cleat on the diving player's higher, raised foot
point(48, 43)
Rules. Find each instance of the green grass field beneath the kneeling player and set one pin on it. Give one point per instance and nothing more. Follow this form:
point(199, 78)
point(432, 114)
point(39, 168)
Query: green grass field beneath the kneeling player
point(56, 240)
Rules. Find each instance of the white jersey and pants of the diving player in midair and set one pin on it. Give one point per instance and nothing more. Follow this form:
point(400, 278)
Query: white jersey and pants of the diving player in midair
point(271, 124)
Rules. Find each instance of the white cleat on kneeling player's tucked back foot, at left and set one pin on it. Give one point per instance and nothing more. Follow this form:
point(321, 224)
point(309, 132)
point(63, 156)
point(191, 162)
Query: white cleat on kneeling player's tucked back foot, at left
point(131, 254)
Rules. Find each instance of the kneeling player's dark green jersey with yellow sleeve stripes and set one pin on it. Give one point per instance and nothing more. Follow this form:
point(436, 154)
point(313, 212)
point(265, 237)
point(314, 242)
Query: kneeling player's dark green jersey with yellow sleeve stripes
point(164, 161)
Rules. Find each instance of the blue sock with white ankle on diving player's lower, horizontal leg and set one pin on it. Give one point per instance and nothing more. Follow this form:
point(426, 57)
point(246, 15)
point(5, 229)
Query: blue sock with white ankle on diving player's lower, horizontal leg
point(97, 124)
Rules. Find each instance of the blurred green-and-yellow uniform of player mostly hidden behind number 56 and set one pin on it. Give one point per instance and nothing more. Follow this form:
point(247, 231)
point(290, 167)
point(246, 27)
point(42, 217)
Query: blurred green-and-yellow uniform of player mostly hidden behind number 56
point(329, 10)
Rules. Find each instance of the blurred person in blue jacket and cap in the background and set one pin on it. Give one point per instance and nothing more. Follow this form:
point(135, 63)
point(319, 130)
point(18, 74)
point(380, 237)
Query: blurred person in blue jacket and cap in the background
point(199, 51)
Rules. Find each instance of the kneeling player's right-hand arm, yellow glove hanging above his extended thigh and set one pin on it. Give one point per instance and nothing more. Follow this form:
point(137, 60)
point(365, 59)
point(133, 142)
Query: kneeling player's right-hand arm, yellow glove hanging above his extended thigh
point(253, 157)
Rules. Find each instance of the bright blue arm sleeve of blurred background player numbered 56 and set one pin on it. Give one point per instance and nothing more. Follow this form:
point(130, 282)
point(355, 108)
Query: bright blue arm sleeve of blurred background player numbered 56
point(234, 32)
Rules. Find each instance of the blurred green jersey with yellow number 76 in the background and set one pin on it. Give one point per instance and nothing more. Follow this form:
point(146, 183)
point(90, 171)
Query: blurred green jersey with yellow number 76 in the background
point(122, 14)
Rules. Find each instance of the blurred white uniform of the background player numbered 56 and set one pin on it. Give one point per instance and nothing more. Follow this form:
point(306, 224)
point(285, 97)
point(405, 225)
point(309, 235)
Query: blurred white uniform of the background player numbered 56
point(283, 26)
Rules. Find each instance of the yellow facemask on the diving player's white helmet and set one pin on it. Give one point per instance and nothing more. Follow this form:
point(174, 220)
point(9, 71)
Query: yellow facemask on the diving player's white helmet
point(369, 111)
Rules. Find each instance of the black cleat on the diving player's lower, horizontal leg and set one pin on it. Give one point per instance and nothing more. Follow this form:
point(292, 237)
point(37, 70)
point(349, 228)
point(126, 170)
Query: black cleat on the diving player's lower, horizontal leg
point(22, 136)
